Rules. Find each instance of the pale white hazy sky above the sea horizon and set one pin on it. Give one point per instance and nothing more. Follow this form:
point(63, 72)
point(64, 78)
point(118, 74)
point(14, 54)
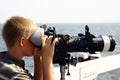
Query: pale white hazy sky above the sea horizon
point(62, 11)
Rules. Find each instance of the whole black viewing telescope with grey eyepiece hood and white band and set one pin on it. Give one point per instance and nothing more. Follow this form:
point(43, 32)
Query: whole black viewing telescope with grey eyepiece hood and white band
point(82, 43)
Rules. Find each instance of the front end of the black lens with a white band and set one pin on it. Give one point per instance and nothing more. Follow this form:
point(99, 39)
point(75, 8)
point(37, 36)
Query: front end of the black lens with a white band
point(104, 43)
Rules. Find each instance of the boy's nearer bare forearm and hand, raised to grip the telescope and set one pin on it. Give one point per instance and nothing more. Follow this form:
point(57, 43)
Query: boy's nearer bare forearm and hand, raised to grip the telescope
point(47, 57)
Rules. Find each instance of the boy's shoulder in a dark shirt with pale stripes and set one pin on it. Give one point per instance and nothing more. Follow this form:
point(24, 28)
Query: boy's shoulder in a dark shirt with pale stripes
point(11, 68)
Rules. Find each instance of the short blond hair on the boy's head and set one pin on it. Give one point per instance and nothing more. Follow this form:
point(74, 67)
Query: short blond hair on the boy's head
point(16, 27)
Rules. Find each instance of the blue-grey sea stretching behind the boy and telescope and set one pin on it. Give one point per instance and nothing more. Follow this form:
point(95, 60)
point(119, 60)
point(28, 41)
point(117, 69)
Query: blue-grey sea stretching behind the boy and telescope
point(73, 29)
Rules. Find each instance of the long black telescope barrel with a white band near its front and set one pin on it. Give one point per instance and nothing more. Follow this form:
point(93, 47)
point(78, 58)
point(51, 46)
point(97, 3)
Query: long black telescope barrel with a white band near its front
point(81, 44)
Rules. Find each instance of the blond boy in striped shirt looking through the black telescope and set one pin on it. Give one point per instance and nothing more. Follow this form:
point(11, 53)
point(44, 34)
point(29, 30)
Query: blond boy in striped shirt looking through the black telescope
point(16, 33)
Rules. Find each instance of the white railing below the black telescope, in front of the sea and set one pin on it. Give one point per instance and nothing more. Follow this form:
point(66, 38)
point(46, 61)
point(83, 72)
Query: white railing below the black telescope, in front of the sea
point(89, 70)
